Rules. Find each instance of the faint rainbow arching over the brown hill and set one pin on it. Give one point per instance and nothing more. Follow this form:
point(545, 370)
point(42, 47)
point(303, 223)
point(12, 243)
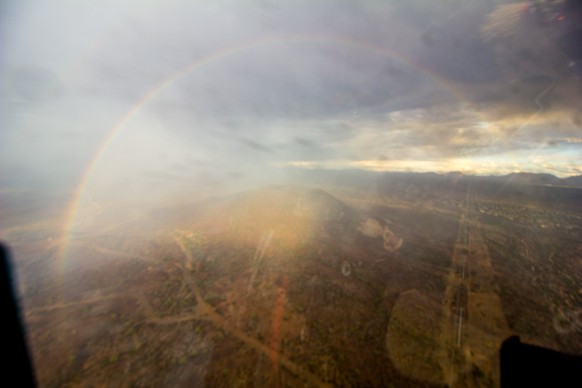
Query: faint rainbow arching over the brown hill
point(210, 59)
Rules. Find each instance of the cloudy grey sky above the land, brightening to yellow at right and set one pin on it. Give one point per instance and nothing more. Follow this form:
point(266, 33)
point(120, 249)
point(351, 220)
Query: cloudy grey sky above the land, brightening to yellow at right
point(163, 96)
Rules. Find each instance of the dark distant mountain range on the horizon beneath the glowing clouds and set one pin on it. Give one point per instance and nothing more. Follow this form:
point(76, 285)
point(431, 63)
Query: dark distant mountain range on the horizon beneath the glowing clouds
point(525, 188)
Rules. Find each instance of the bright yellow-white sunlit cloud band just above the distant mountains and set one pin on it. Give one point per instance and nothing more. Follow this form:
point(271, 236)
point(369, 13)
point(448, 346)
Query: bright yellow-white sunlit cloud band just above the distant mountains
point(425, 140)
